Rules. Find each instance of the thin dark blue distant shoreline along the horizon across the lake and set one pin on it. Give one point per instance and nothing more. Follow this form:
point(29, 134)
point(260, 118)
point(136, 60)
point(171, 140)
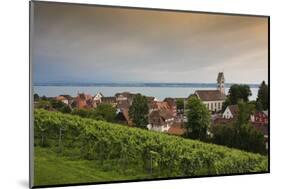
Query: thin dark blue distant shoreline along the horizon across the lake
point(181, 85)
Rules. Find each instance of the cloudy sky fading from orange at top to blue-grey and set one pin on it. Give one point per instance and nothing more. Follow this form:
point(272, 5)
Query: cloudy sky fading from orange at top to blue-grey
point(76, 43)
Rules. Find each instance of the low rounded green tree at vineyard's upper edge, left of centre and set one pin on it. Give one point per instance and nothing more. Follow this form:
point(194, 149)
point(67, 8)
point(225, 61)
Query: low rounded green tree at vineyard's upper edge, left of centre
point(106, 112)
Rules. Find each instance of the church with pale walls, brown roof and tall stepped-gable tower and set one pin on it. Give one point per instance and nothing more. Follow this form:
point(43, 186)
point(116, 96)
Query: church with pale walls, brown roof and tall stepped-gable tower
point(213, 99)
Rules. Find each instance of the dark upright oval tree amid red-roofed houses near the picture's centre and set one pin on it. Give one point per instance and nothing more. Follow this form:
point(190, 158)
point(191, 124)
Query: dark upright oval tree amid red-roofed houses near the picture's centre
point(138, 111)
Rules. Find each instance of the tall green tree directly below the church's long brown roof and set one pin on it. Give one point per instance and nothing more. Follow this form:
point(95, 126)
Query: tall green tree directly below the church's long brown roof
point(199, 119)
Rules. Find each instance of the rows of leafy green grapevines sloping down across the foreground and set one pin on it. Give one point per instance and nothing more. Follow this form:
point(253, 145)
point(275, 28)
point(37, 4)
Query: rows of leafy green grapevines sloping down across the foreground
point(128, 150)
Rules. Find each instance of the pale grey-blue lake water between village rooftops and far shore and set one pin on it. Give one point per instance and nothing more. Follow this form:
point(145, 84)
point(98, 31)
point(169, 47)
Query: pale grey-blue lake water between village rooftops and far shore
point(159, 92)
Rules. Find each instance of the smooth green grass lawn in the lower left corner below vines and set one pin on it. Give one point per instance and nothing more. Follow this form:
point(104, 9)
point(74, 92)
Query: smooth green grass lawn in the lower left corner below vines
point(51, 169)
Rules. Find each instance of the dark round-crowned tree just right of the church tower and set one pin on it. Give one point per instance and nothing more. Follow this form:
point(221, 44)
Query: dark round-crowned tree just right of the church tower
point(238, 92)
